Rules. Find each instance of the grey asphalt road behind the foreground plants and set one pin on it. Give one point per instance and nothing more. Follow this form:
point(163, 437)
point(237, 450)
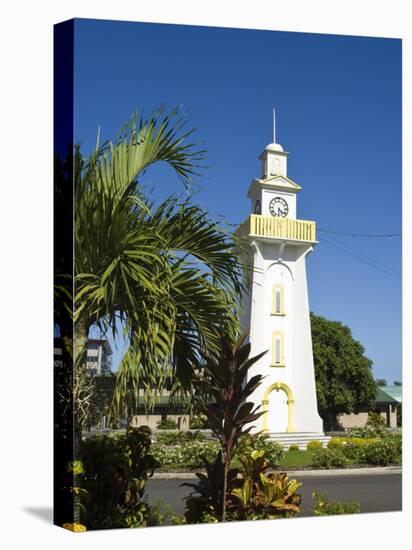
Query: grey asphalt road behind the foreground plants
point(376, 493)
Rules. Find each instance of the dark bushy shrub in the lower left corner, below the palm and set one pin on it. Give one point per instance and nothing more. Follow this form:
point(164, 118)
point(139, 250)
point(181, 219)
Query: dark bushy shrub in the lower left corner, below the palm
point(115, 474)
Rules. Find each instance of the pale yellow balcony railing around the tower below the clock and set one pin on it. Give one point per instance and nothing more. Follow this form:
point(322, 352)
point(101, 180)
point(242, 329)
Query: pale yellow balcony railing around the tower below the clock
point(280, 228)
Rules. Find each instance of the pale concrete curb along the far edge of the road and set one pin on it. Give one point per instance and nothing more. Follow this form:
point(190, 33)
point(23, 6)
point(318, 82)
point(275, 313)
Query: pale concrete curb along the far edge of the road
point(387, 470)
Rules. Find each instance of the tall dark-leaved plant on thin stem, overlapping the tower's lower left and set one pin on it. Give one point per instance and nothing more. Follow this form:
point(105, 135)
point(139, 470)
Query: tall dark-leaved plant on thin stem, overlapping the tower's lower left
point(222, 389)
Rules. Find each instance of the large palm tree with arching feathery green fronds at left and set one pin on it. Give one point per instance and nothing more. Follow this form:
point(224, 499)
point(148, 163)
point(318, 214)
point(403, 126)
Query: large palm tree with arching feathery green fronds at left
point(166, 276)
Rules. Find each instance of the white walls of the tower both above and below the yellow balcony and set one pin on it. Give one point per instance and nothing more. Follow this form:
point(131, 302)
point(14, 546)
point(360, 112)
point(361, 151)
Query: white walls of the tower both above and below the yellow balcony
point(282, 262)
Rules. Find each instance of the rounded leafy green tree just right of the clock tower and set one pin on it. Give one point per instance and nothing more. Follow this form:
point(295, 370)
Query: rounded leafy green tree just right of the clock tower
point(344, 380)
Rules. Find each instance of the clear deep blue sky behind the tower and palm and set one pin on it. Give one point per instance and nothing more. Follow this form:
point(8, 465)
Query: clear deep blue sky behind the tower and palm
point(338, 102)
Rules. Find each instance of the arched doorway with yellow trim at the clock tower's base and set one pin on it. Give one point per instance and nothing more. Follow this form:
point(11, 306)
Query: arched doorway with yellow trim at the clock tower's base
point(284, 404)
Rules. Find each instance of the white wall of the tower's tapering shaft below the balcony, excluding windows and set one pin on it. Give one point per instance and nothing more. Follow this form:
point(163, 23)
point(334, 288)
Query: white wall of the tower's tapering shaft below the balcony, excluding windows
point(271, 266)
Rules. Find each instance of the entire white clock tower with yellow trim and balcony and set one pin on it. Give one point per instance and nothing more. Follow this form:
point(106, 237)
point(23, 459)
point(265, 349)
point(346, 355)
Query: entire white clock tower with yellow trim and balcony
point(276, 307)
